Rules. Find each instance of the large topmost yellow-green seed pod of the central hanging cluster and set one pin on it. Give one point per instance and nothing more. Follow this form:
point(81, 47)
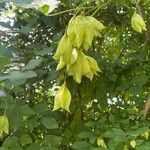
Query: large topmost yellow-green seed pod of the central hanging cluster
point(81, 31)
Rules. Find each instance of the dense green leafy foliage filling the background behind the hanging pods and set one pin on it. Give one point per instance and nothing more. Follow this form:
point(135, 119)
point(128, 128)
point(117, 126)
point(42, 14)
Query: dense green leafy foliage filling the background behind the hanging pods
point(108, 108)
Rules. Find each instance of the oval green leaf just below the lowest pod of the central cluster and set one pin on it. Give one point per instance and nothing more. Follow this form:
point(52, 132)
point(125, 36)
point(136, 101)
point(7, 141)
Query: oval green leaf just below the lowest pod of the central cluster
point(49, 123)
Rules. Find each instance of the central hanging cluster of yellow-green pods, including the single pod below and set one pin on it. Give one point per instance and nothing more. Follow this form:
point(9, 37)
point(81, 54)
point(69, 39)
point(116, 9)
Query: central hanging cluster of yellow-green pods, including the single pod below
point(79, 36)
